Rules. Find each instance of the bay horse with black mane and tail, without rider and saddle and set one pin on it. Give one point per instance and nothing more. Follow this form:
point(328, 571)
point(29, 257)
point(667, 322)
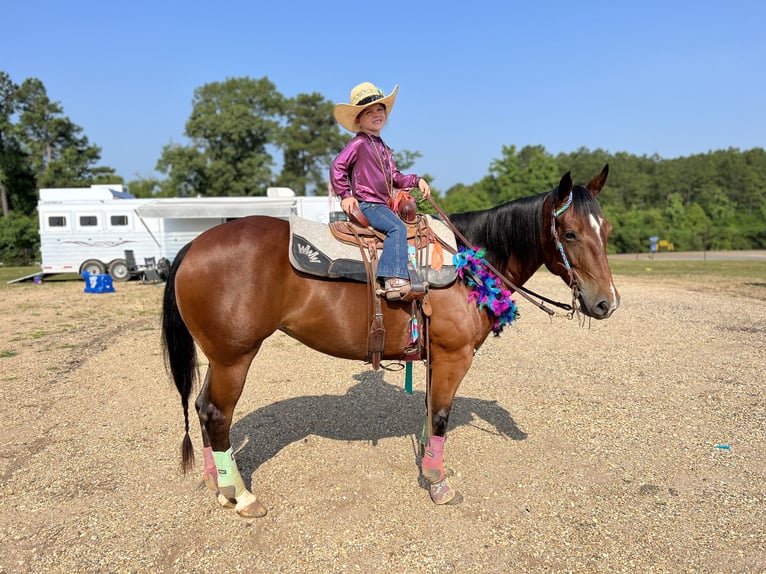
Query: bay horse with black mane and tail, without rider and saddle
point(233, 286)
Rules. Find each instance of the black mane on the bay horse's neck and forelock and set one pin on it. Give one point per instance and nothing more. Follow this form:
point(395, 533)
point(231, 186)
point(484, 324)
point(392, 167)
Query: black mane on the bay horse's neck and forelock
point(515, 227)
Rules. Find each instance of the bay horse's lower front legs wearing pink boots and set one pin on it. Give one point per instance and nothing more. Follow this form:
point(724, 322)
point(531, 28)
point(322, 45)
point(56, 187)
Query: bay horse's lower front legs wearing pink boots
point(447, 371)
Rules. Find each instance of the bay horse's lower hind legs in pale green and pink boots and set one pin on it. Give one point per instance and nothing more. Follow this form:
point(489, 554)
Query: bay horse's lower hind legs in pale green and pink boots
point(215, 408)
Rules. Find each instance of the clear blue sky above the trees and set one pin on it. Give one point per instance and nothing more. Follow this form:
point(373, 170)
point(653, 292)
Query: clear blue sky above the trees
point(671, 78)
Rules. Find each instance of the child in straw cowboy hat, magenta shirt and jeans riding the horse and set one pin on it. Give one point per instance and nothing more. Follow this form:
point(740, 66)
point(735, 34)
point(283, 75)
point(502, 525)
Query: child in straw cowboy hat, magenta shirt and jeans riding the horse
point(364, 175)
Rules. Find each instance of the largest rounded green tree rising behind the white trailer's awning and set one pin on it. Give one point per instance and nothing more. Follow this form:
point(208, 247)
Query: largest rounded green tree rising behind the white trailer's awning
point(232, 128)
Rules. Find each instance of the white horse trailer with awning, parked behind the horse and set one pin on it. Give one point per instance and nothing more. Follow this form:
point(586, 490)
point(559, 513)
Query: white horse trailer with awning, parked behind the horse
point(104, 229)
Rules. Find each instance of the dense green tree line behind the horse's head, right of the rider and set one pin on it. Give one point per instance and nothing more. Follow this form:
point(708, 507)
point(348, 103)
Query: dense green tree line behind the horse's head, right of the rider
point(710, 201)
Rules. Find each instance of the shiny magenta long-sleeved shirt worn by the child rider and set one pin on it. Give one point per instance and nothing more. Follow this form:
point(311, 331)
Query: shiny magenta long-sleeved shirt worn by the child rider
point(356, 171)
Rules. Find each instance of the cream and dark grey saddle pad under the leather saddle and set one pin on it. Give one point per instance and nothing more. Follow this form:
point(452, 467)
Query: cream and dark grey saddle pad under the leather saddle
point(315, 251)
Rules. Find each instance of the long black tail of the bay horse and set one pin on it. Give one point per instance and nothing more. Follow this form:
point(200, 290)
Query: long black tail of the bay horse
point(180, 354)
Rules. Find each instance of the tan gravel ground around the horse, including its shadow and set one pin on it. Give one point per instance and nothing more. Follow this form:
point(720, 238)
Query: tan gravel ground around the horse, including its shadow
point(634, 444)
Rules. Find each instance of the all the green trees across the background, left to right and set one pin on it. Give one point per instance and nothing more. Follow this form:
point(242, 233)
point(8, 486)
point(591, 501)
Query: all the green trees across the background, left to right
point(244, 136)
